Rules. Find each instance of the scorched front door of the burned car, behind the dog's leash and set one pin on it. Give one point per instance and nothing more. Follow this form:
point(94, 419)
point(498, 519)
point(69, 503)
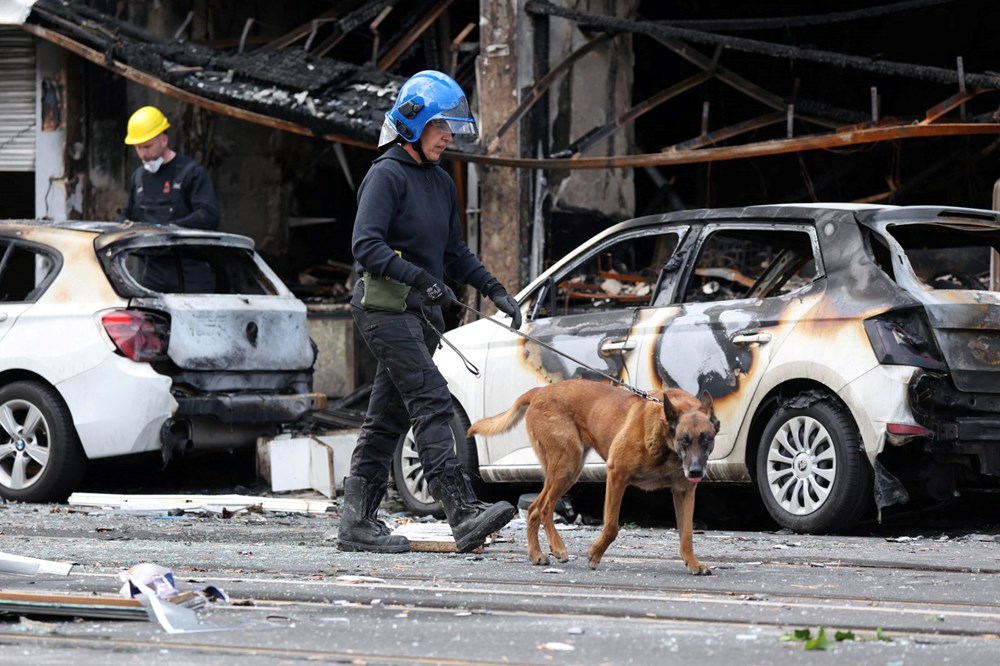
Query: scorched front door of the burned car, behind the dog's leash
point(587, 309)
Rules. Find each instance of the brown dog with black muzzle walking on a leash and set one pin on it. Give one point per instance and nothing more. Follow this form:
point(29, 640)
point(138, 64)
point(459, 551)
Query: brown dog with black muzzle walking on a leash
point(645, 444)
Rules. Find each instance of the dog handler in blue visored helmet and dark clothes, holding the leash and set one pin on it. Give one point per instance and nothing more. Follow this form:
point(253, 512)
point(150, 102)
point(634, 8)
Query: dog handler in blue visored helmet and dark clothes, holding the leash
point(407, 237)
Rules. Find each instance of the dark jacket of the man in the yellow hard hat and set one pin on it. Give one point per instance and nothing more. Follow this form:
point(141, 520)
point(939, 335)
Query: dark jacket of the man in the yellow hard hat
point(179, 193)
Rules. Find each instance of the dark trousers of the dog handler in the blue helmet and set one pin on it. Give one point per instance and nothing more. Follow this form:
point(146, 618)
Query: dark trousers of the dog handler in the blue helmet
point(408, 391)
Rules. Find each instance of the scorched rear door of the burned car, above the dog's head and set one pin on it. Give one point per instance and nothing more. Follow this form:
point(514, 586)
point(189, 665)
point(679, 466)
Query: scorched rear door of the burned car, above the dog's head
point(731, 308)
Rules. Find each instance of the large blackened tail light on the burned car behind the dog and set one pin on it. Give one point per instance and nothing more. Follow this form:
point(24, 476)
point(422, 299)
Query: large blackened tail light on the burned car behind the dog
point(903, 337)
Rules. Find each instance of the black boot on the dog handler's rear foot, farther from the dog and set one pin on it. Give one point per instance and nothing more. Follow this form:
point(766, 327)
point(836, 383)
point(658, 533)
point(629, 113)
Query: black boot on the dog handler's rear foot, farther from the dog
point(360, 529)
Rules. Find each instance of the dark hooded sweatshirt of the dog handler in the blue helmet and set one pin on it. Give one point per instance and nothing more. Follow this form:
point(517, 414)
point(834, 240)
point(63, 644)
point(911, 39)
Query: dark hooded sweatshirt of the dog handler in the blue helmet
point(408, 222)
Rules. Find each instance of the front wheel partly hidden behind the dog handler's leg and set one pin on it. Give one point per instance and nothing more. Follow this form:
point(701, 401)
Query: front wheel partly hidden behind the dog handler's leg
point(408, 474)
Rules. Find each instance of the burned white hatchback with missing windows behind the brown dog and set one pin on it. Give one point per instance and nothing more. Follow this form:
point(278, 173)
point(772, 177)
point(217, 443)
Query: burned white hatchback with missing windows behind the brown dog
point(852, 351)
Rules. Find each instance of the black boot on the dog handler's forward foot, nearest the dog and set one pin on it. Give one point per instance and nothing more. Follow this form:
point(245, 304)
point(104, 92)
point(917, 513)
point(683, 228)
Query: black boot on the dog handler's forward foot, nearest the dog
point(471, 520)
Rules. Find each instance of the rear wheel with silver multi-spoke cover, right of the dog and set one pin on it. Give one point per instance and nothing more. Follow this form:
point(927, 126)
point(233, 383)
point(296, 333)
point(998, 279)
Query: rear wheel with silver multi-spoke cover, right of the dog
point(812, 470)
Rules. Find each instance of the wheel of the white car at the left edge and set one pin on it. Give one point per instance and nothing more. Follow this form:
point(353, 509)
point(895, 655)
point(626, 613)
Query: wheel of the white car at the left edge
point(41, 459)
